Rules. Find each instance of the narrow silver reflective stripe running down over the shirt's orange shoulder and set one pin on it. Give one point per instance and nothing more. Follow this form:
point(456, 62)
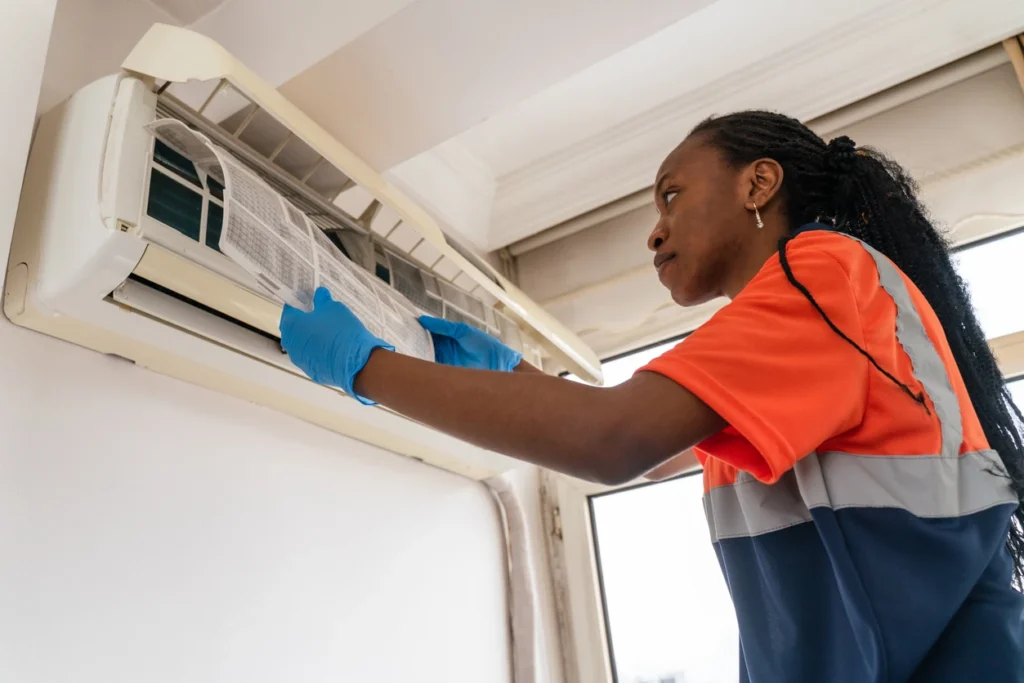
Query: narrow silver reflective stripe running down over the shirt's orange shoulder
point(928, 366)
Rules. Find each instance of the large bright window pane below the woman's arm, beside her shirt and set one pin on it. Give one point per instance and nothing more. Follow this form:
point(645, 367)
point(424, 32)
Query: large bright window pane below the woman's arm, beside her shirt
point(669, 612)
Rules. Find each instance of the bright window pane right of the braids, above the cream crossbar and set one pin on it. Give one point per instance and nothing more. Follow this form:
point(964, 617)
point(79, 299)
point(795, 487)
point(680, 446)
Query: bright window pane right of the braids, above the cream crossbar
point(995, 277)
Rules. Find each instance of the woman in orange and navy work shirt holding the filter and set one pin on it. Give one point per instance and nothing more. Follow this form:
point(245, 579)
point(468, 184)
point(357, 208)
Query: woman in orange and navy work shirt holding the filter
point(864, 464)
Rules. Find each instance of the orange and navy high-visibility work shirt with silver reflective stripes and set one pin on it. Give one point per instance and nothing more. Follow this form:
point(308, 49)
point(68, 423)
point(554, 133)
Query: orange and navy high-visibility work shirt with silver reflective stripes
point(862, 533)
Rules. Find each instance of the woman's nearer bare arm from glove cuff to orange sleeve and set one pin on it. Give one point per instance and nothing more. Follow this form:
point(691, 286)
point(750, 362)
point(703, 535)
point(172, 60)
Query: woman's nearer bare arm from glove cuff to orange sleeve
point(608, 436)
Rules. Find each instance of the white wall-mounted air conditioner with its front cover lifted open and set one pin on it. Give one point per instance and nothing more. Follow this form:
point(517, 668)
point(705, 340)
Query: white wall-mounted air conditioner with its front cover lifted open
point(119, 248)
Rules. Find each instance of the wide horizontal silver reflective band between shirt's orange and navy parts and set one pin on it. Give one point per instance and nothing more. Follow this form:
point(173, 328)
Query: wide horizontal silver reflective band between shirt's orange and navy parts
point(927, 487)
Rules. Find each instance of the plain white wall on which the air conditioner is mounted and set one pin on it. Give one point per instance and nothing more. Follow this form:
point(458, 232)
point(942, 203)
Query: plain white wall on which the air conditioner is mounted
point(151, 531)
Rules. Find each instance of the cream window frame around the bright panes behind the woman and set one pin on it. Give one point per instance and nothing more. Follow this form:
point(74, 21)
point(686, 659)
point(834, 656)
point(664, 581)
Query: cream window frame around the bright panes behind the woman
point(573, 551)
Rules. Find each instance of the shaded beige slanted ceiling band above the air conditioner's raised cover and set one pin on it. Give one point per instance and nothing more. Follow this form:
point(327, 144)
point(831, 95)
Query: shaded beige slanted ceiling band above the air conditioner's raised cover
point(442, 67)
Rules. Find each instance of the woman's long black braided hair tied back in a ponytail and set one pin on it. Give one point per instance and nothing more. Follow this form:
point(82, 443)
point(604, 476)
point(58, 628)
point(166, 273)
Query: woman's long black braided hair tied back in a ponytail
point(865, 194)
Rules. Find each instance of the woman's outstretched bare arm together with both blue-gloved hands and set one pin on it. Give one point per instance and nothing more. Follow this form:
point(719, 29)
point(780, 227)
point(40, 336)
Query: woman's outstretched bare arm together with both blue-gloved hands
point(609, 436)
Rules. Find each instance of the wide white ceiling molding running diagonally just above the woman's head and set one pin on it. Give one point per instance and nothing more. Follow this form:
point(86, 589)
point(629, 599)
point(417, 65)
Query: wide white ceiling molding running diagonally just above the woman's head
point(802, 81)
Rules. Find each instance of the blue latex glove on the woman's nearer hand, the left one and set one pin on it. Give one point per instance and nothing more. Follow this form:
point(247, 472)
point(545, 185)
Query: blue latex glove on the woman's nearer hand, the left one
point(329, 345)
